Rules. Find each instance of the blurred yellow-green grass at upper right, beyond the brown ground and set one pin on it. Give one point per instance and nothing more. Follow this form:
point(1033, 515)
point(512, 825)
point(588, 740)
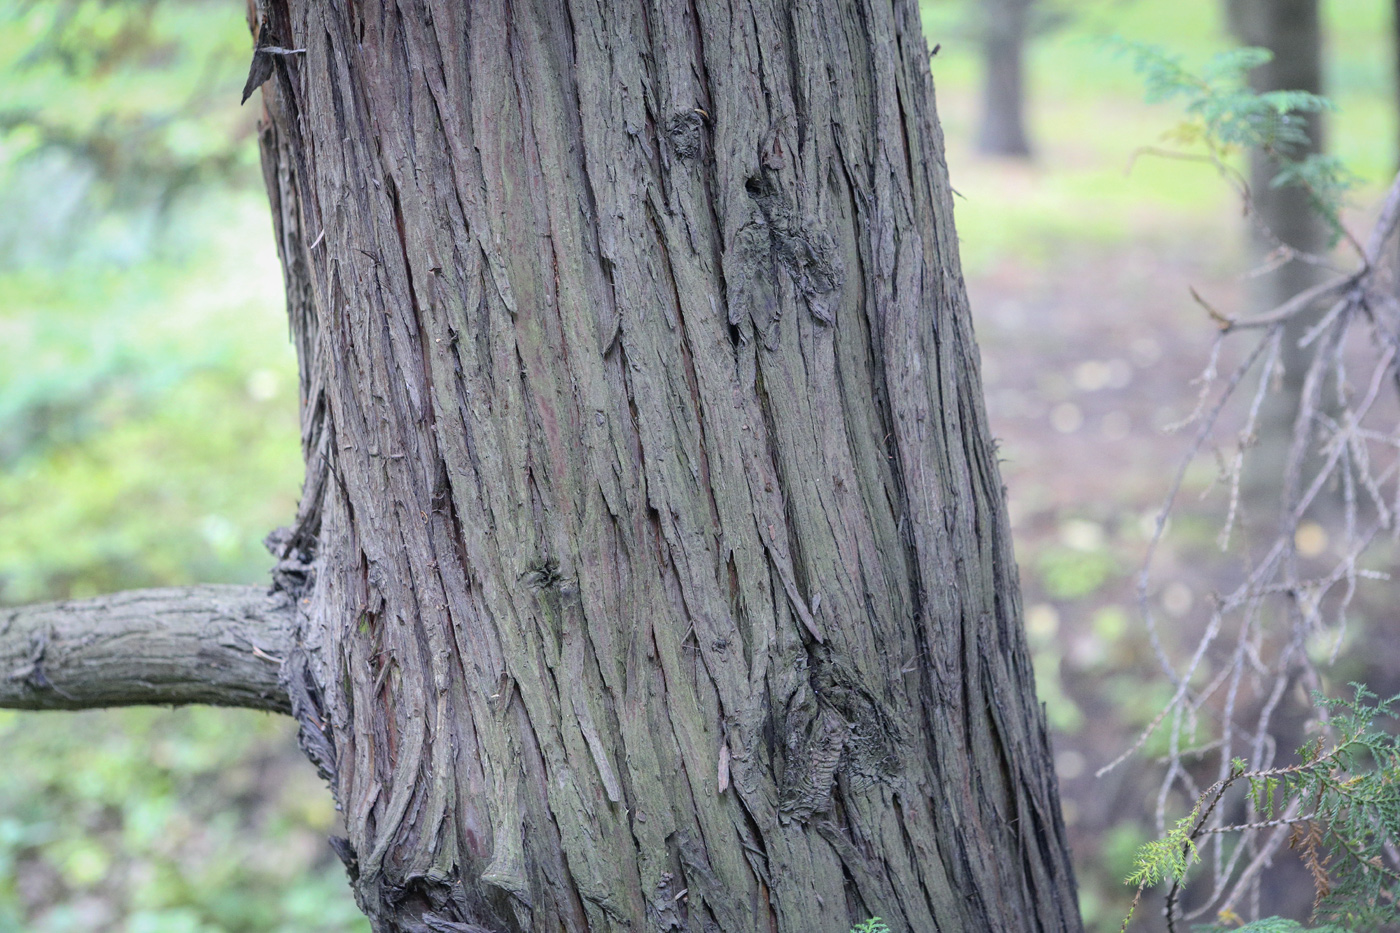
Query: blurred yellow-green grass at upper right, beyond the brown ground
point(1087, 120)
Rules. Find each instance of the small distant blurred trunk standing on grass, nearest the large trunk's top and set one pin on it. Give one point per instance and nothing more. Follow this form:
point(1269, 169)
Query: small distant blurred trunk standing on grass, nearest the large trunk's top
point(1004, 26)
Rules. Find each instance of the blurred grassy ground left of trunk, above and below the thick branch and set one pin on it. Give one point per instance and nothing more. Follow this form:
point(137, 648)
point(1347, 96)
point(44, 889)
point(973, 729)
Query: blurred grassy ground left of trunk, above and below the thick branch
point(150, 424)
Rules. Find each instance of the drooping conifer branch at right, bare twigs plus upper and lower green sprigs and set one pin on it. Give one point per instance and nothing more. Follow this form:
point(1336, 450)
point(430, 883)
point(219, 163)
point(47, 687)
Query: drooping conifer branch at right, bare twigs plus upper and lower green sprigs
point(1284, 620)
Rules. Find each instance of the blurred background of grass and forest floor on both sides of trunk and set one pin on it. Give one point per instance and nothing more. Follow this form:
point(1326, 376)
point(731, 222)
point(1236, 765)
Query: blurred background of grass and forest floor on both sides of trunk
point(149, 414)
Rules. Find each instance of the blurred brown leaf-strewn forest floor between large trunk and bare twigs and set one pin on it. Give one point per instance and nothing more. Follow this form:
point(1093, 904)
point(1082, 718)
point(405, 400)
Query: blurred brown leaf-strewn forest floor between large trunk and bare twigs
point(1086, 362)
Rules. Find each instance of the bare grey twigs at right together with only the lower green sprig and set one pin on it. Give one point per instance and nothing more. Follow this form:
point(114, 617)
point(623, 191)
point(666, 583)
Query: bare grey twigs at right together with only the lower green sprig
point(1333, 808)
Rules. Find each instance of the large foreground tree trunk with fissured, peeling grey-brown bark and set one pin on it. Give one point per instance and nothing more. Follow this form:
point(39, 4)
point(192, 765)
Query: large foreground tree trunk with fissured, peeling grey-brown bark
point(659, 565)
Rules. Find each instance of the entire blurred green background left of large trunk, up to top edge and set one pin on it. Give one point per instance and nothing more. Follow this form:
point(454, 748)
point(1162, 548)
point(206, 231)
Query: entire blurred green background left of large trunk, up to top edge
point(148, 438)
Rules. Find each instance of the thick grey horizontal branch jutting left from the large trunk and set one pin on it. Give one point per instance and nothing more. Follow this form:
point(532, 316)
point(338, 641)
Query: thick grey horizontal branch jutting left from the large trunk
point(218, 645)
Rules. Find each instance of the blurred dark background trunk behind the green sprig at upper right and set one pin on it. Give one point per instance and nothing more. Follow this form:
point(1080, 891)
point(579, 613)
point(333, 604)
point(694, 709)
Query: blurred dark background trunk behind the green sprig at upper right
point(1283, 216)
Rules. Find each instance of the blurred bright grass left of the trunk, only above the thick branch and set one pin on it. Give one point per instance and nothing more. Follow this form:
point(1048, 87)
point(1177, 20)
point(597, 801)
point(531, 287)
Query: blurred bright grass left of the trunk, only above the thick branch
point(150, 418)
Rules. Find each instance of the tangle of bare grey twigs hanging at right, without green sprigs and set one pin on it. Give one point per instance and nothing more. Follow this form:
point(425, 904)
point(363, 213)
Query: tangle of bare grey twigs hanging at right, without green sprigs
point(1259, 640)
